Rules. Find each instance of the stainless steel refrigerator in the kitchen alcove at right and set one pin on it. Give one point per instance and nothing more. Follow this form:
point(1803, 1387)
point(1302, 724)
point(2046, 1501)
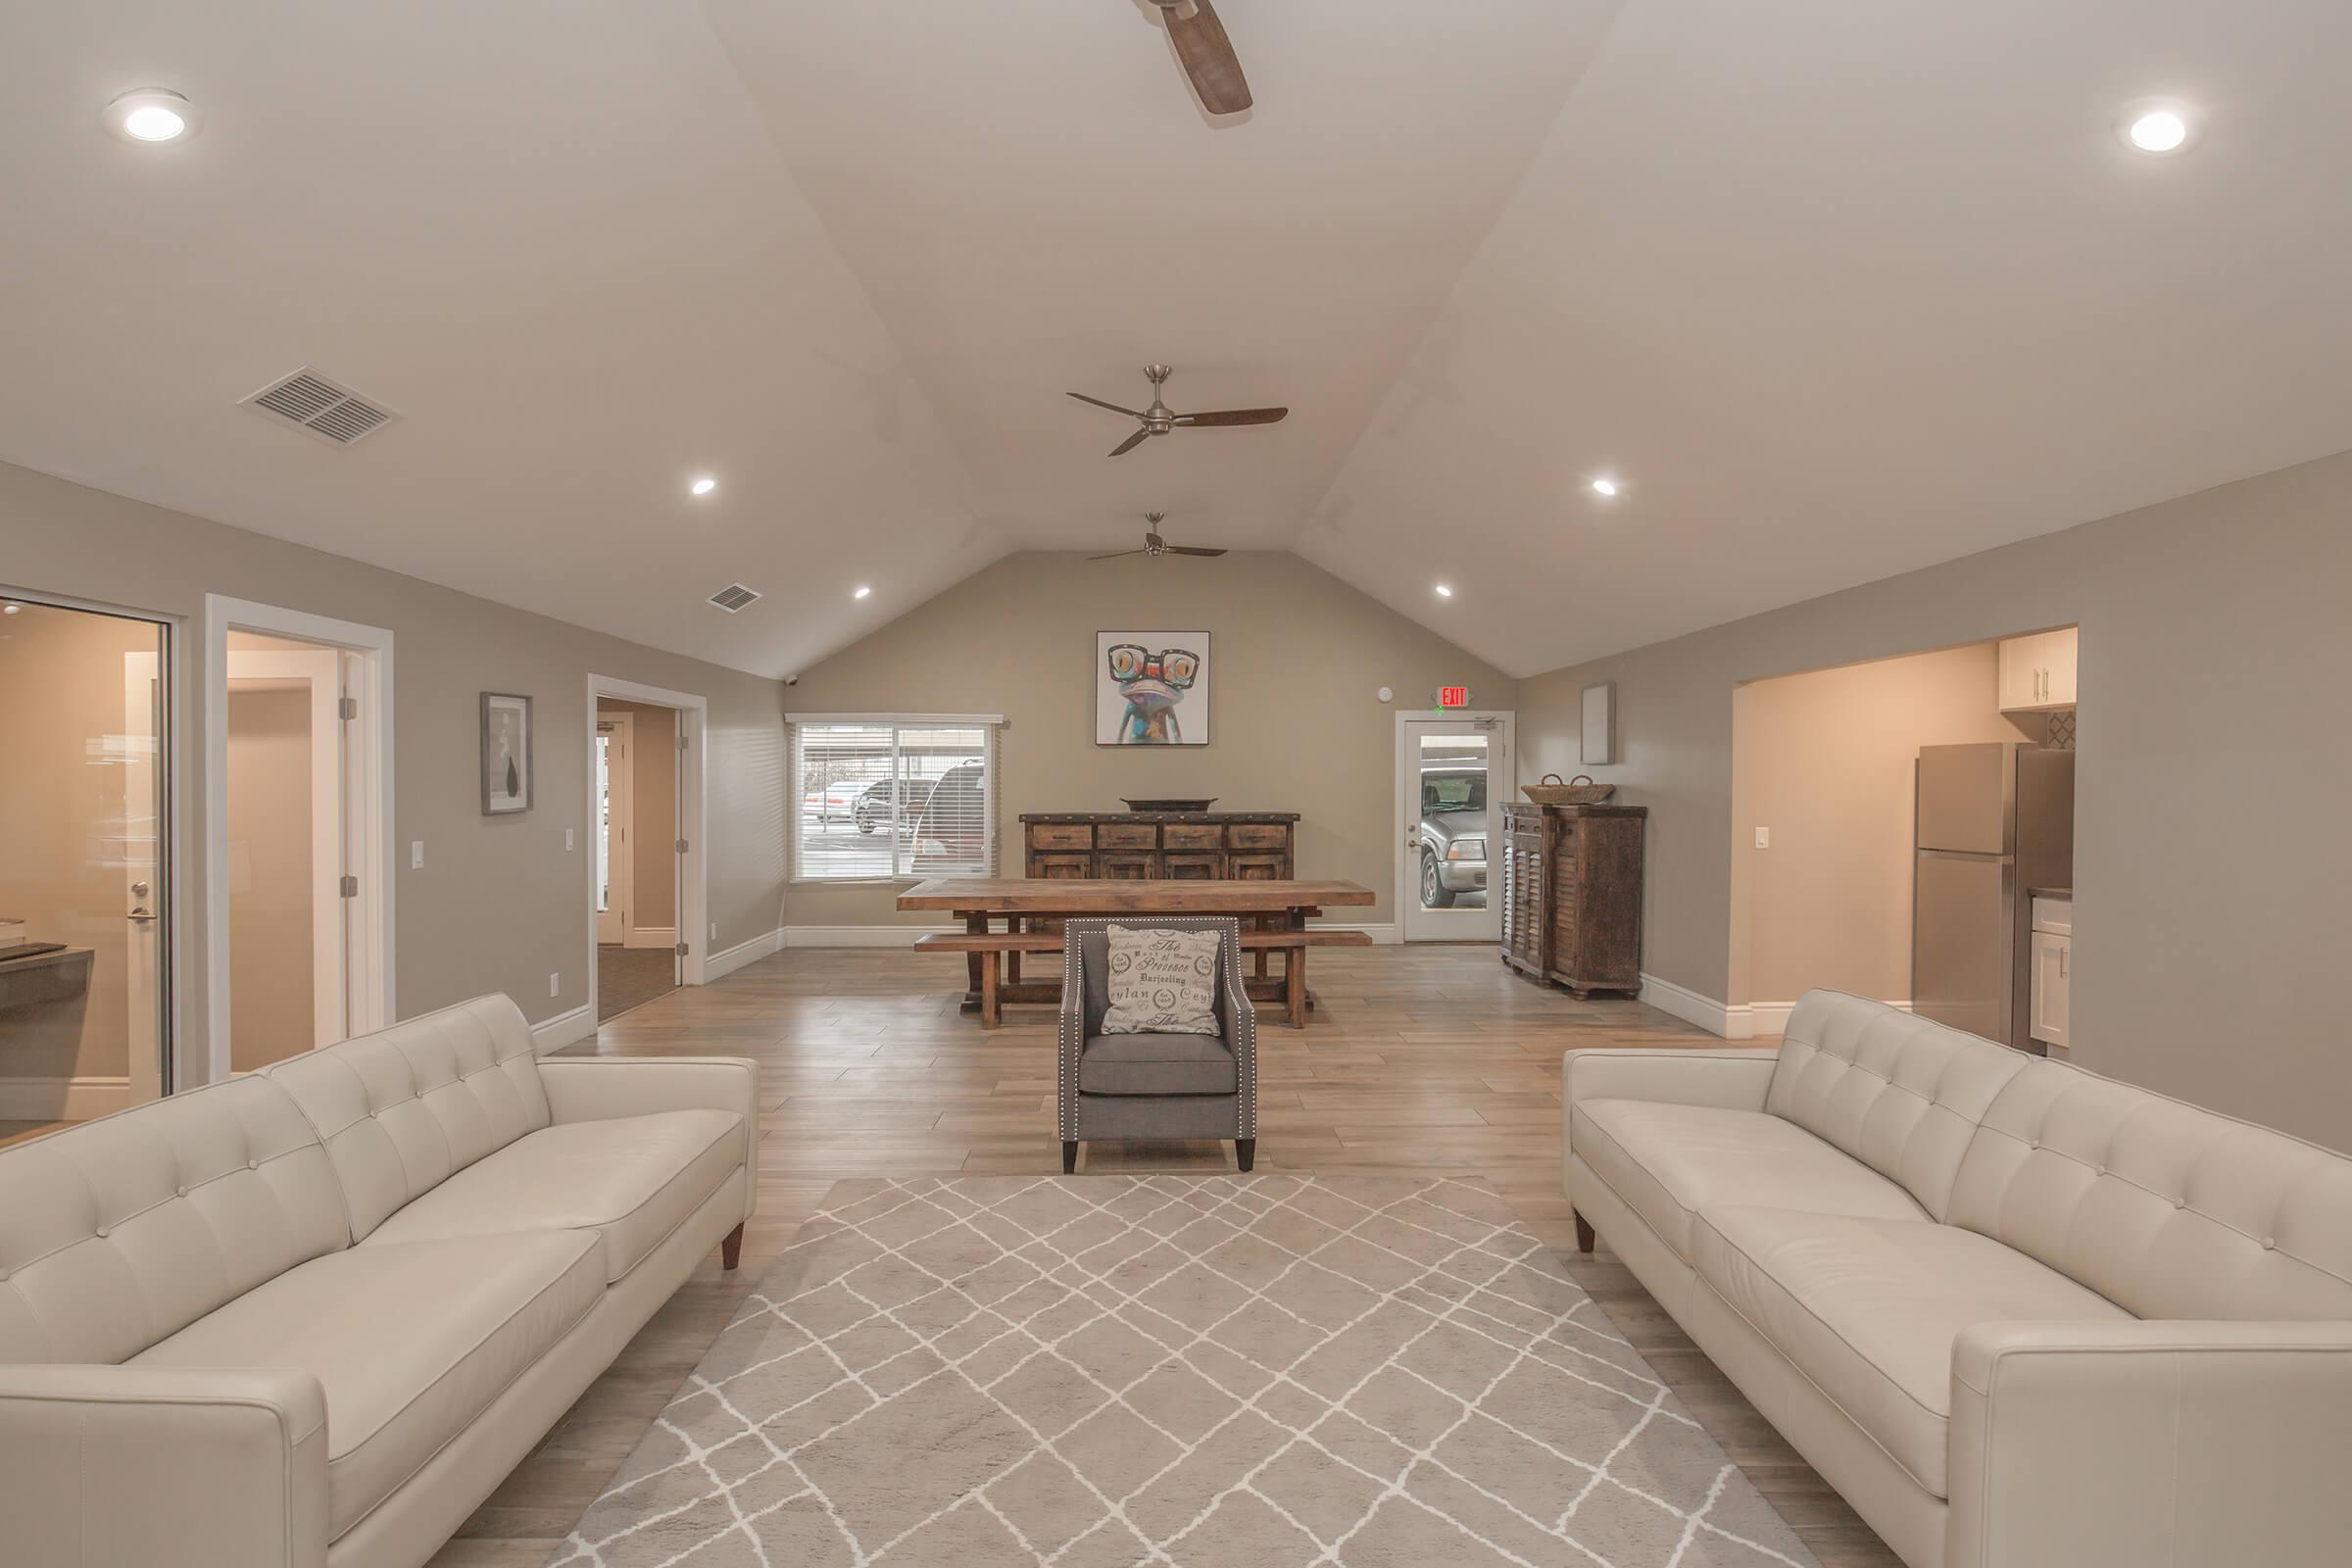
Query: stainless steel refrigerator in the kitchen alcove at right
point(1993, 822)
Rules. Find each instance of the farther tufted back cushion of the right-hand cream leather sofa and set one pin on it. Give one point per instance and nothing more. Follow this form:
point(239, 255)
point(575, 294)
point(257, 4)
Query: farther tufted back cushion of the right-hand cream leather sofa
point(1897, 1092)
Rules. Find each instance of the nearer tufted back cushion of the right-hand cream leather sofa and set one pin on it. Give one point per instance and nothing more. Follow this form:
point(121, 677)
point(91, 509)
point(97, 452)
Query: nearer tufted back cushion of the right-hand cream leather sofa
point(2165, 1209)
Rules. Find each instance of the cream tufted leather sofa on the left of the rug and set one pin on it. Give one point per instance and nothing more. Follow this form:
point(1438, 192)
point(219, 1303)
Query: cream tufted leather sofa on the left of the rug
point(312, 1318)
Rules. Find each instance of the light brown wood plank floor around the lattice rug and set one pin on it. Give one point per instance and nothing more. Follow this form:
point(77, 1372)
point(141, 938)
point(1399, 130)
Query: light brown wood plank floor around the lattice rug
point(1419, 1059)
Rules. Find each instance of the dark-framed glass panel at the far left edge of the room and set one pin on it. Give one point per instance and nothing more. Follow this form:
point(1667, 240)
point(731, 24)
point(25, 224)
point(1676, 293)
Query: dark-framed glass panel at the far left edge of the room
point(83, 859)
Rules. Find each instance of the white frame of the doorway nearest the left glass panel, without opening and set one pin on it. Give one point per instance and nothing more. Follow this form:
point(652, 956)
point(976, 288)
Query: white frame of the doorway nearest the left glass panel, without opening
point(370, 805)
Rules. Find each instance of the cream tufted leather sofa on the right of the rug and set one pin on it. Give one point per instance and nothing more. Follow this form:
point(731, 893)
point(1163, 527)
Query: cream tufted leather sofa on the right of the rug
point(2019, 1315)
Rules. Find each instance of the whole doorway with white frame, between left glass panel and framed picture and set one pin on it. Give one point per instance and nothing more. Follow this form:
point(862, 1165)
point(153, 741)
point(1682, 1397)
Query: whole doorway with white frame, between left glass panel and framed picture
point(298, 749)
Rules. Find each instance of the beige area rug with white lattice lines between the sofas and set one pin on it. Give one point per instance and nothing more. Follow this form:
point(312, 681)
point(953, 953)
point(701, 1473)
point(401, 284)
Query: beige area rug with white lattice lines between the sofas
point(1231, 1372)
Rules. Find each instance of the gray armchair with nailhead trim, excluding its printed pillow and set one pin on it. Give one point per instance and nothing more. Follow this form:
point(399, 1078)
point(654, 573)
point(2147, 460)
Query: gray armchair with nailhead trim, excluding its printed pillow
point(1154, 1085)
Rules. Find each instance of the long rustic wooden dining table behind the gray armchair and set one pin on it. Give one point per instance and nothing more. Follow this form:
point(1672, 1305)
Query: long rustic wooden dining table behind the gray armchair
point(1013, 916)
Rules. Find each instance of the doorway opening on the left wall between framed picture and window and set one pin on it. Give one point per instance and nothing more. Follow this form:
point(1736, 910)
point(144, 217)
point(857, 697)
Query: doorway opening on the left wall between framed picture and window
point(639, 852)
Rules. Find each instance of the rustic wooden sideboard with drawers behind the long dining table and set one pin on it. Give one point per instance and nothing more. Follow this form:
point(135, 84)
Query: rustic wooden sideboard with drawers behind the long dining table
point(1161, 845)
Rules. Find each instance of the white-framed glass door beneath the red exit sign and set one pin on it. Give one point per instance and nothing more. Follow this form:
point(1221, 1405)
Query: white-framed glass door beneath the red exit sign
point(1448, 798)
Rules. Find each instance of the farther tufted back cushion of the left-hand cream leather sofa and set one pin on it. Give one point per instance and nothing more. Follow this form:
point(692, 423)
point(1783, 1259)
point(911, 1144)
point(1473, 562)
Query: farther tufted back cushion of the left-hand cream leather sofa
point(408, 1108)
